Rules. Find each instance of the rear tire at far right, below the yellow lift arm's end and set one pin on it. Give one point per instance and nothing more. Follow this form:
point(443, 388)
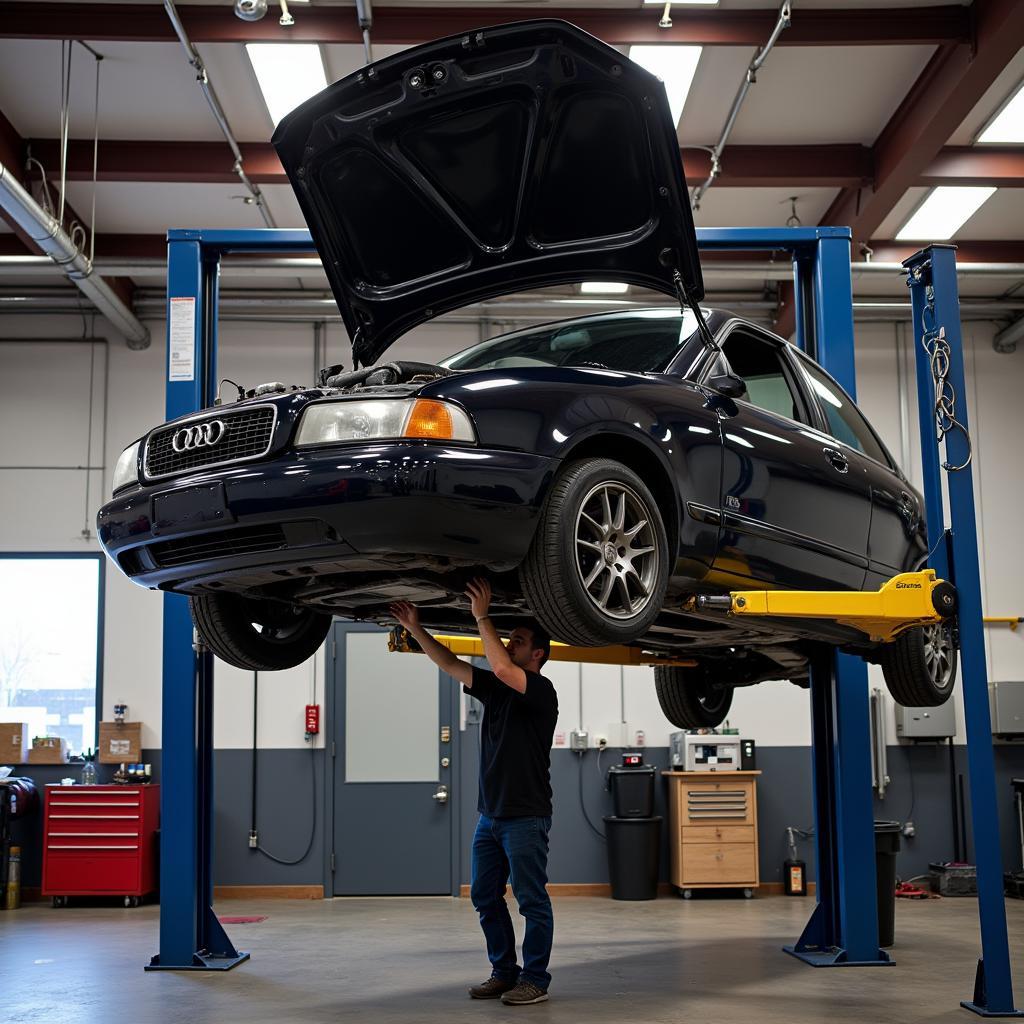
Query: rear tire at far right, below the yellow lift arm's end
point(920, 666)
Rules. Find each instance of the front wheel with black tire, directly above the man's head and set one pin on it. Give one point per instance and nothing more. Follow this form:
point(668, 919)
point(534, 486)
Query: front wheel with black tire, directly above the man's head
point(571, 546)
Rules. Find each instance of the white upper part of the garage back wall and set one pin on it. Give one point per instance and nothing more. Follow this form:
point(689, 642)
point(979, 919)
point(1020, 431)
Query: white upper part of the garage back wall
point(45, 412)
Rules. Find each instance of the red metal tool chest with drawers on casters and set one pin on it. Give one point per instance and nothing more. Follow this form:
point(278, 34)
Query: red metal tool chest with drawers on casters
point(101, 841)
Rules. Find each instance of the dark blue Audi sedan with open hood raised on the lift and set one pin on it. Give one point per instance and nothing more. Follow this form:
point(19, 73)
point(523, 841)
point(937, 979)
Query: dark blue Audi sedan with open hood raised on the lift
point(604, 473)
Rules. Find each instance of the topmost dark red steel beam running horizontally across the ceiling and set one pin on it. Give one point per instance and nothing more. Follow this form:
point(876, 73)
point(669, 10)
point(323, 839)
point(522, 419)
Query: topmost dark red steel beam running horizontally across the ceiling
point(218, 24)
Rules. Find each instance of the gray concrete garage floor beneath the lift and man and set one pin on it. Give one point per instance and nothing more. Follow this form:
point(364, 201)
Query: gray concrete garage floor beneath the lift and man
point(411, 961)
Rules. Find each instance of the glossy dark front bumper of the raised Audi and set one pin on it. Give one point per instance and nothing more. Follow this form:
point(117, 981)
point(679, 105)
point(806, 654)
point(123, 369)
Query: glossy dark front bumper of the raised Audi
point(326, 508)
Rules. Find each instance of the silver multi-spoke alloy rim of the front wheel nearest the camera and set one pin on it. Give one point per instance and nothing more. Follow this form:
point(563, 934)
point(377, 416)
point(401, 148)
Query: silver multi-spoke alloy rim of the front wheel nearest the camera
point(617, 552)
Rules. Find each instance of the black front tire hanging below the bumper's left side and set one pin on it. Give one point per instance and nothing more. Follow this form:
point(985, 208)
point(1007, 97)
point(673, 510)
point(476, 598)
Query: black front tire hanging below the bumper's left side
point(264, 636)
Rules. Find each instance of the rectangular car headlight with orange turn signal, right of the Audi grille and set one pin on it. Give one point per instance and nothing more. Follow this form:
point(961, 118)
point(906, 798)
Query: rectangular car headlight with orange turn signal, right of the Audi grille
point(425, 419)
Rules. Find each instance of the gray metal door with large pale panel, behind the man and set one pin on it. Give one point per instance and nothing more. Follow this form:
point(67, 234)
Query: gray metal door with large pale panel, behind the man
point(396, 728)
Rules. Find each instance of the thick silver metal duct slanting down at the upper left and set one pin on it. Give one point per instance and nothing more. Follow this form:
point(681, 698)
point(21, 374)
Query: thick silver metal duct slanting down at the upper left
point(53, 239)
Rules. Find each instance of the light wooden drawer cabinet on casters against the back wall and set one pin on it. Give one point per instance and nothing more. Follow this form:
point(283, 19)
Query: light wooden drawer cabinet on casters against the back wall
point(713, 830)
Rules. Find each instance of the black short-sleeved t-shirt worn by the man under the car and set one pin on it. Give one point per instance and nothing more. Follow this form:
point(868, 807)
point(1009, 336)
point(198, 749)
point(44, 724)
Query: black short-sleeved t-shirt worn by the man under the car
point(516, 746)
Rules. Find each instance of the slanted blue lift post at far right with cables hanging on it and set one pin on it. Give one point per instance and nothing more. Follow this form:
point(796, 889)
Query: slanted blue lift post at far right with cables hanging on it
point(932, 280)
